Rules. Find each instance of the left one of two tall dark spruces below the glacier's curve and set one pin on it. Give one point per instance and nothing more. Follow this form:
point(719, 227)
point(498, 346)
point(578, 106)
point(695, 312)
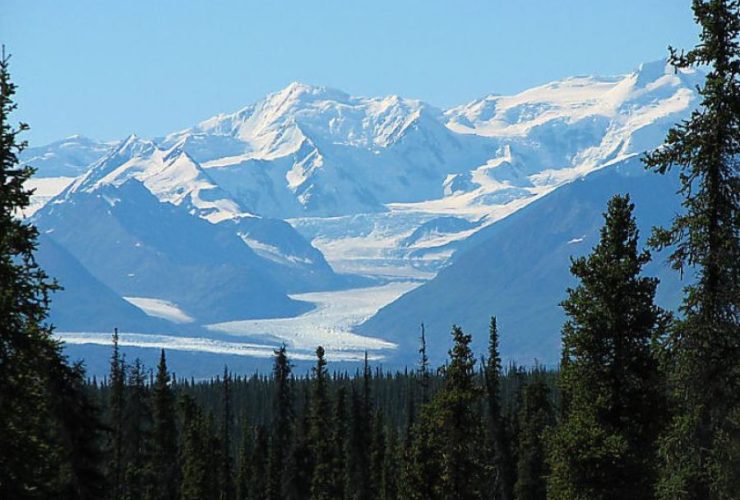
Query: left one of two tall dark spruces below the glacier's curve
point(282, 424)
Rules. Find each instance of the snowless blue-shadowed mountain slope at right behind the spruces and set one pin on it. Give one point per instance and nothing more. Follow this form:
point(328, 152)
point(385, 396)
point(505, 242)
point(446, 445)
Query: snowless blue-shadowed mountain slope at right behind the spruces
point(518, 269)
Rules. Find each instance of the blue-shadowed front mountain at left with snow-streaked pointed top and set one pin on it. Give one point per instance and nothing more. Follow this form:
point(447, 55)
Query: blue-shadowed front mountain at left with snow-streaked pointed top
point(151, 225)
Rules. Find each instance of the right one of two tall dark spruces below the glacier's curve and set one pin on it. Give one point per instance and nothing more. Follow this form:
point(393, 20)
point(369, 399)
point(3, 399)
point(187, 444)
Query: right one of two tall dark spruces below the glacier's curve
point(319, 436)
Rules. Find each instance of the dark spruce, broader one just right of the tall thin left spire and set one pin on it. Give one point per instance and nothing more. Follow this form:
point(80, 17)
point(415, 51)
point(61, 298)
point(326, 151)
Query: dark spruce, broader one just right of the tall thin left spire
point(164, 437)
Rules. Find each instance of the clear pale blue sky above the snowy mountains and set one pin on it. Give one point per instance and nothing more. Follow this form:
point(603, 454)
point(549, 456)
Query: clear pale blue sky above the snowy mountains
point(109, 68)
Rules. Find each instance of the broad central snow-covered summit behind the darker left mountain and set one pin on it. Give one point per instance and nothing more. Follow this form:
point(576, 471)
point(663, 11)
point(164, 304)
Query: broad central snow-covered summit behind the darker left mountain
point(316, 151)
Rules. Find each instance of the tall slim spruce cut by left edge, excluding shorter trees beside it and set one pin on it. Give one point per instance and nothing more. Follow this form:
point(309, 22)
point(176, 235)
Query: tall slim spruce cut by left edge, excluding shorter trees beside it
point(26, 345)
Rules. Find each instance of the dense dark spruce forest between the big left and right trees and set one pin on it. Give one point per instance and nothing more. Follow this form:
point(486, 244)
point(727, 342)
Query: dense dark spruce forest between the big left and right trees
point(465, 430)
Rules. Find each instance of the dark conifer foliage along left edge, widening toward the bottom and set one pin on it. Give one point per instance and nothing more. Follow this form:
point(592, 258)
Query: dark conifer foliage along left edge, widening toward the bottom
point(49, 427)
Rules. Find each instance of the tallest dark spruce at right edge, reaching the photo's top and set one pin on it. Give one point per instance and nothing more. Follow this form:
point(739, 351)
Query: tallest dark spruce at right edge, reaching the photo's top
point(701, 448)
